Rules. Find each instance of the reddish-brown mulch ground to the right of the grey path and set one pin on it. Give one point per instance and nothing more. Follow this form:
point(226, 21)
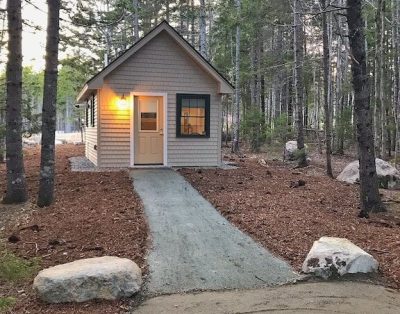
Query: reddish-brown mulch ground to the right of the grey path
point(264, 200)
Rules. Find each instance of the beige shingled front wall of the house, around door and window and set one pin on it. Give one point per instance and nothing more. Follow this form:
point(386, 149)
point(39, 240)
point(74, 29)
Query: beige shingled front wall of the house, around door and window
point(160, 67)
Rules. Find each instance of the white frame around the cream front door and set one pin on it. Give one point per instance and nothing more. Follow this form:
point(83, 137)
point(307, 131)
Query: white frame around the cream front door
point(132, 127)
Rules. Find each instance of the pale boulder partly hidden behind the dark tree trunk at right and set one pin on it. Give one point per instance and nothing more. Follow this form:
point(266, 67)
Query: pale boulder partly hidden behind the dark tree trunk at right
point(388, 176)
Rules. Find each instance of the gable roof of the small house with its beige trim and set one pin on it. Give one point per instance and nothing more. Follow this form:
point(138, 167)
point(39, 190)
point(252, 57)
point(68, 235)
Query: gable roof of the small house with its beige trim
point(97, 81)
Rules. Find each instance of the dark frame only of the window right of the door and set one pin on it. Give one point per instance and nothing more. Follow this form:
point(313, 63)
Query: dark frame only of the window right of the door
point(179, 98)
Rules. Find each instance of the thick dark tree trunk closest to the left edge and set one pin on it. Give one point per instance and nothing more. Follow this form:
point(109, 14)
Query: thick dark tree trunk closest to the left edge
point(16, 183)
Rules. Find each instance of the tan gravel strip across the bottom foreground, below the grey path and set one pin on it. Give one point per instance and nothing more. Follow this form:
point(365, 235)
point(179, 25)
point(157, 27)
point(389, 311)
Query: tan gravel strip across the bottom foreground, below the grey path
point(340, 297)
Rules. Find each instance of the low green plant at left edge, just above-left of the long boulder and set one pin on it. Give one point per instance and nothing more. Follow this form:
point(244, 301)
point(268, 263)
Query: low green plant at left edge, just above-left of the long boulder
point(14, 268)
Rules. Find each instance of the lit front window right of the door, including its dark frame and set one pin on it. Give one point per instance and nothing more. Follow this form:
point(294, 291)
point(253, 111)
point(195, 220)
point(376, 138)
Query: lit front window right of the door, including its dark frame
point(193, 115)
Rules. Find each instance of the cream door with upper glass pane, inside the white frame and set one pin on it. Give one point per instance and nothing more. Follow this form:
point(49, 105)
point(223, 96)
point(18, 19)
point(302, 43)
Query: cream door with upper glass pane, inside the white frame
point(148, 139)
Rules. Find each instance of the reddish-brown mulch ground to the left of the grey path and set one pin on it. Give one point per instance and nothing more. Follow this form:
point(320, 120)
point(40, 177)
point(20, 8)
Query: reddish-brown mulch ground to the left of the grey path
point(94, 214)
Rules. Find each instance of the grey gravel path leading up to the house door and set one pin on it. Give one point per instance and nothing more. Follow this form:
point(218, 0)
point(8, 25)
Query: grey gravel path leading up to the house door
point(194, 247)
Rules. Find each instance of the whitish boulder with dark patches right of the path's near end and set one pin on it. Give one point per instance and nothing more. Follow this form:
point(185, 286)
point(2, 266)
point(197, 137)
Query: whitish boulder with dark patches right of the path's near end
point(330, 257)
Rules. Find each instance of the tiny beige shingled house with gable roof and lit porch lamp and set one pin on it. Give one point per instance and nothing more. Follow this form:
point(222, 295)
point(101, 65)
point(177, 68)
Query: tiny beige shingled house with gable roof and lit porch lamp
point(159, 103)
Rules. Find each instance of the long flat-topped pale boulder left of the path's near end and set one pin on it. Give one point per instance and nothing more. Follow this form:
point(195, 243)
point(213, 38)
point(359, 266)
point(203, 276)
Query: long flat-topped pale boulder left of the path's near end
point(107, 277)
